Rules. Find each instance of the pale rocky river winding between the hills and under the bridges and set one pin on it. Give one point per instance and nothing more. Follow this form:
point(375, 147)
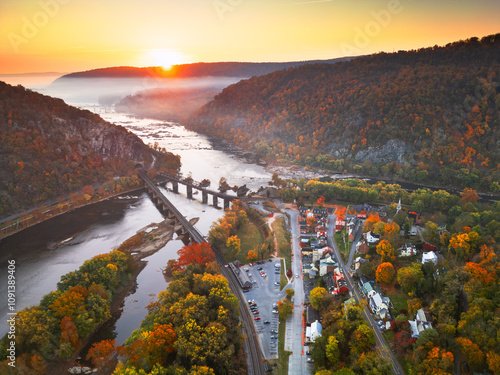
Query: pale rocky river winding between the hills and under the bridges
point(45, 252)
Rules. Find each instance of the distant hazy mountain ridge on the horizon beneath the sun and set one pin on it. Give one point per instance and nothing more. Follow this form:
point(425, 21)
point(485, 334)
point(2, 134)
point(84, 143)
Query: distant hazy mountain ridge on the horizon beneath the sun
point(216, 69)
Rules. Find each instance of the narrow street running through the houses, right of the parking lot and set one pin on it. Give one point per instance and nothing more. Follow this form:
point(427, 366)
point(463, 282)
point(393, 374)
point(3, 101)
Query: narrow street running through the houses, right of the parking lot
point(381, 343)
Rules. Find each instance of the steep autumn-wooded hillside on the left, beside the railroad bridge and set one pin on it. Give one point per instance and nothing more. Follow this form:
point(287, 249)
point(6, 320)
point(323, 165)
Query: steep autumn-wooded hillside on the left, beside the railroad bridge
point(50, 149)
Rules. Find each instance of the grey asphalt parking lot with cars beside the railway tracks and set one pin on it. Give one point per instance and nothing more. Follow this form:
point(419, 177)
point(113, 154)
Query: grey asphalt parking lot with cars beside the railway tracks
point(262, 297)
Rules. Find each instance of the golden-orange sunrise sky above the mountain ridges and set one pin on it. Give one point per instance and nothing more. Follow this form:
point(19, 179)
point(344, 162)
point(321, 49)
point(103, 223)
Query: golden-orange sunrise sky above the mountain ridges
point(75, 35)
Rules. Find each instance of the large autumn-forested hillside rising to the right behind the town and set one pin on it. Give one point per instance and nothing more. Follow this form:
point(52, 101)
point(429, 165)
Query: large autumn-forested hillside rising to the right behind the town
point(428, 116)
